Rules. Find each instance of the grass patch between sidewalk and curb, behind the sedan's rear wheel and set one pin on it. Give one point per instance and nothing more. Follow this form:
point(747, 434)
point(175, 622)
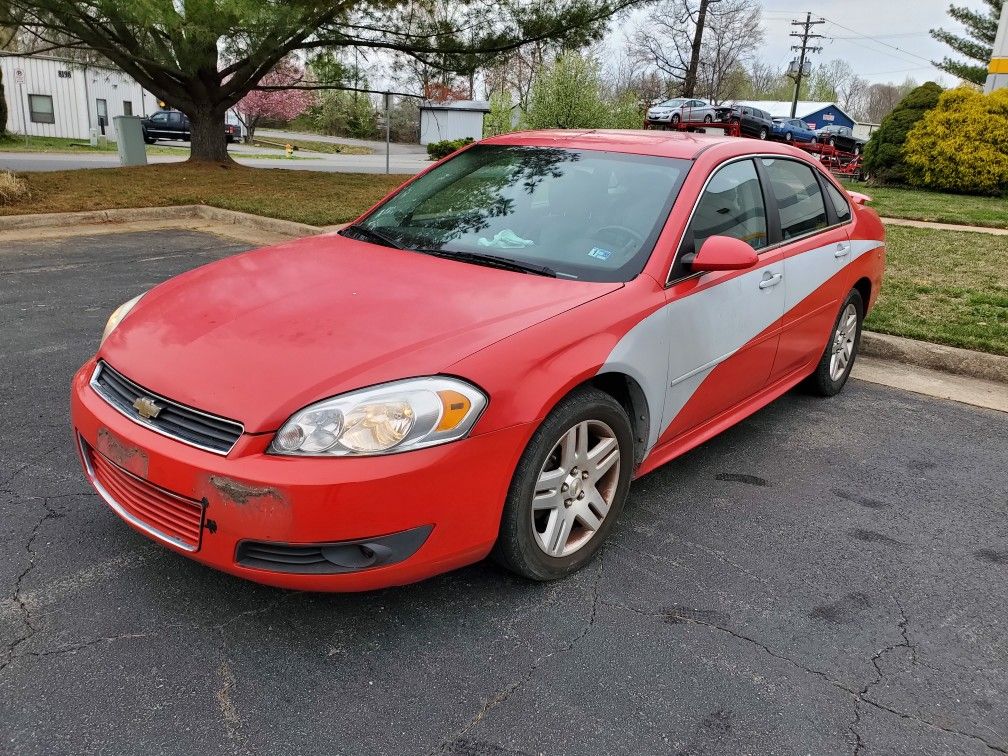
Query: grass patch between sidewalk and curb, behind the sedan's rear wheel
point(945, 287)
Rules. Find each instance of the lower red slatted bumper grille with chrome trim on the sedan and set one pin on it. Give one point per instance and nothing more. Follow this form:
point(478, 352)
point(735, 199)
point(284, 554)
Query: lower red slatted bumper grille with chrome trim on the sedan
point(164, 515)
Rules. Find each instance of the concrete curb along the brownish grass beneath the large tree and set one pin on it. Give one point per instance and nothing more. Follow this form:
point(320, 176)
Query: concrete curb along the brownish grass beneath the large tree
point(169, 213)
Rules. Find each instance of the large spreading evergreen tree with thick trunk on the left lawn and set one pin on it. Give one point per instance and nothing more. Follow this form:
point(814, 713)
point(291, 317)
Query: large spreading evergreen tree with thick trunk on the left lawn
point(204, 56)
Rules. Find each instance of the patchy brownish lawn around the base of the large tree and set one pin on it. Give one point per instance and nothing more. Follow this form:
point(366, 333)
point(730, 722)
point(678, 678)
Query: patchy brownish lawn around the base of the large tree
point(304, 196)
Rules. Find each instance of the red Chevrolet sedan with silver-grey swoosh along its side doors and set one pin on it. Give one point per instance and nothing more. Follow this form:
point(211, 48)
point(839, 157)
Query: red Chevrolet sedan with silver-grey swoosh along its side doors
point(480, 364)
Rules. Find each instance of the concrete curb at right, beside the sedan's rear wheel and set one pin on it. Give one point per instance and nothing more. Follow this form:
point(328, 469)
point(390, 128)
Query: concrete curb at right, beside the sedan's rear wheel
point(936, 357)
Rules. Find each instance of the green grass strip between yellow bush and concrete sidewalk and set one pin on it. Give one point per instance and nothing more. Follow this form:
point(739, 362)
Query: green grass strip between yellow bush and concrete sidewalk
point(916, 205)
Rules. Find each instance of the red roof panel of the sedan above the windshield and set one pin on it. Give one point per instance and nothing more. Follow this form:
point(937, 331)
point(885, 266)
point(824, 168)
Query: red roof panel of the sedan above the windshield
point(680, 145)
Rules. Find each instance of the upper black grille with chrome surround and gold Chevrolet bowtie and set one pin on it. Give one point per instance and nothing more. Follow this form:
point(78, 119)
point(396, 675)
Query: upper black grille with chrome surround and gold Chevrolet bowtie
point(176, 421)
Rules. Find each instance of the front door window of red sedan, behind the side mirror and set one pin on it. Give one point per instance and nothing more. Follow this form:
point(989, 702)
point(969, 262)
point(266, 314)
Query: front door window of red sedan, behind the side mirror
point(732, 205)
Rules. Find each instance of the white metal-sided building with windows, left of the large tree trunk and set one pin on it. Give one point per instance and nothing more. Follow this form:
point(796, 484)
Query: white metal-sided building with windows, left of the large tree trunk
point(55, 97)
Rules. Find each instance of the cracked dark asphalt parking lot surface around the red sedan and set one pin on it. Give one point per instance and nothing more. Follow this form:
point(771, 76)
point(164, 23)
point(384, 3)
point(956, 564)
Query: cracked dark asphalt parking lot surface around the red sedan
point(828, 577)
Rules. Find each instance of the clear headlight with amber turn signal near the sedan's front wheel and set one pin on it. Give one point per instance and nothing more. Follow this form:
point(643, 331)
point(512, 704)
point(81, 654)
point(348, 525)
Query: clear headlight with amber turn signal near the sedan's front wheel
point(390, 419)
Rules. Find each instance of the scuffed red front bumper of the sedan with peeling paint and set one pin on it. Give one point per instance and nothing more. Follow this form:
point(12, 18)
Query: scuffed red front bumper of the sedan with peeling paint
point(457, 489)
